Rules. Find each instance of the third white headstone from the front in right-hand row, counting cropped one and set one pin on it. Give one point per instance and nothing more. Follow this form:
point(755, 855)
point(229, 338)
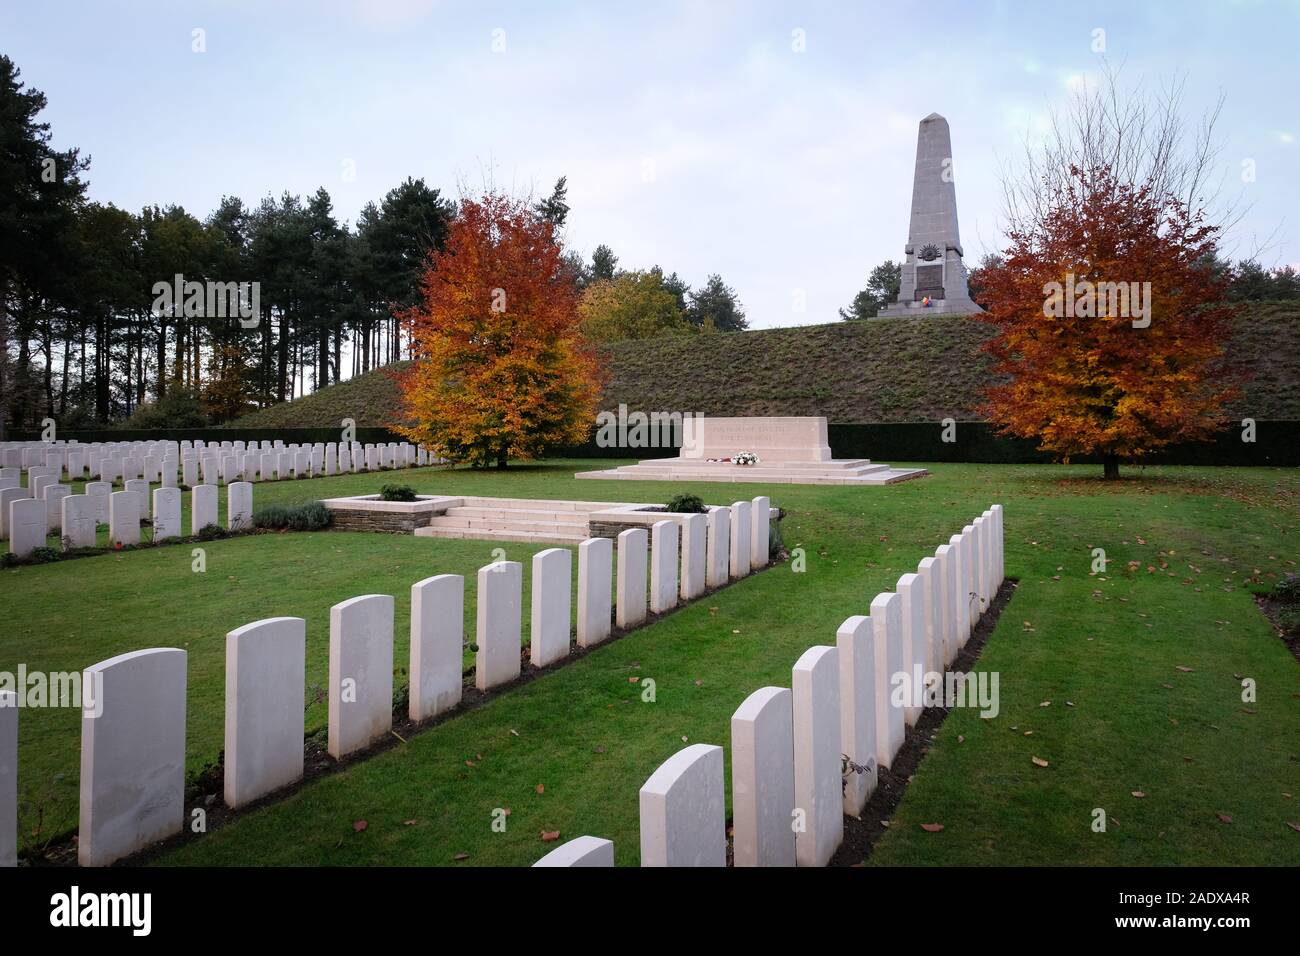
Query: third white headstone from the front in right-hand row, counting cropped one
point(764, 780)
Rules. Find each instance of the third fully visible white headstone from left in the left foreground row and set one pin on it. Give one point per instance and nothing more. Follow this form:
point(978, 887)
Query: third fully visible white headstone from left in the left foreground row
point(361, 673)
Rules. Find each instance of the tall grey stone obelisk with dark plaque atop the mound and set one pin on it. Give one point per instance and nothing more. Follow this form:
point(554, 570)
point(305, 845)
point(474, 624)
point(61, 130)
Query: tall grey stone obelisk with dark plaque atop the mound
point(934, 276)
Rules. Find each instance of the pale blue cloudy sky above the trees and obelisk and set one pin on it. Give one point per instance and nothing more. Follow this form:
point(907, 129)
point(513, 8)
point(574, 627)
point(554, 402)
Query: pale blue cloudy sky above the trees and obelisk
point(692, 135)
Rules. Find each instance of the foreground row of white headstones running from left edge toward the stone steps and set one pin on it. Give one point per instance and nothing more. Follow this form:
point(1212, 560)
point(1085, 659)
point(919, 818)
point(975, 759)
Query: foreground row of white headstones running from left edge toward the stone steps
point(133, 750)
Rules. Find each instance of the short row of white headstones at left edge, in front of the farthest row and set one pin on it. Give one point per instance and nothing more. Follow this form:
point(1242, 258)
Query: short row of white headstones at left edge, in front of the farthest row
point(76, 518)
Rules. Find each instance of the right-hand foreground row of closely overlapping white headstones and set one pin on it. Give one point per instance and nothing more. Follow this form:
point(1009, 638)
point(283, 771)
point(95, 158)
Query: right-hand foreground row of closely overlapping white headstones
point(805, 756)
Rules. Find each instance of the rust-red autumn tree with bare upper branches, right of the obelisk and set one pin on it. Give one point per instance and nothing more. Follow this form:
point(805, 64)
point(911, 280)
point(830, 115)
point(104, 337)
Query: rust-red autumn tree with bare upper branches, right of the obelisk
point(1111, 322)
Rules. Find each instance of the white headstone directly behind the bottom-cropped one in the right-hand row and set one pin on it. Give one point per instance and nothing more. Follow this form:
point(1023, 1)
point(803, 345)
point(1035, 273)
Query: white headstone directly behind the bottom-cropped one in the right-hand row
point(684, 811)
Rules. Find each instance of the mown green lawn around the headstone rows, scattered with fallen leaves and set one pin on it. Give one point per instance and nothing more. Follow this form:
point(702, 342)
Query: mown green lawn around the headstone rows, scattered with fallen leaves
point(1100, 648)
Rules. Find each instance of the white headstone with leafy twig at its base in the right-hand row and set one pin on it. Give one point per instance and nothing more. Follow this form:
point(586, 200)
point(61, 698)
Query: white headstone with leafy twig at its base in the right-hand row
point(856, 643)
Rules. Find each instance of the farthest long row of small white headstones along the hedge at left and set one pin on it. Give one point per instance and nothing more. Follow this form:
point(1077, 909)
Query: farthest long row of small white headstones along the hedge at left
point(163, 462)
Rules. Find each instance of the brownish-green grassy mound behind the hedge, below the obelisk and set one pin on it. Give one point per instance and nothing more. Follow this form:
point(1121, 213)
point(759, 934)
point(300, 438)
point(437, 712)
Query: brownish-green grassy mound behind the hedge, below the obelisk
point(891, 370)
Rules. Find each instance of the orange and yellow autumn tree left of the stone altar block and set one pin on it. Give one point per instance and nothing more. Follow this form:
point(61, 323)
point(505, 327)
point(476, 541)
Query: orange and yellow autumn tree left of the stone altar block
point(500, 366)
